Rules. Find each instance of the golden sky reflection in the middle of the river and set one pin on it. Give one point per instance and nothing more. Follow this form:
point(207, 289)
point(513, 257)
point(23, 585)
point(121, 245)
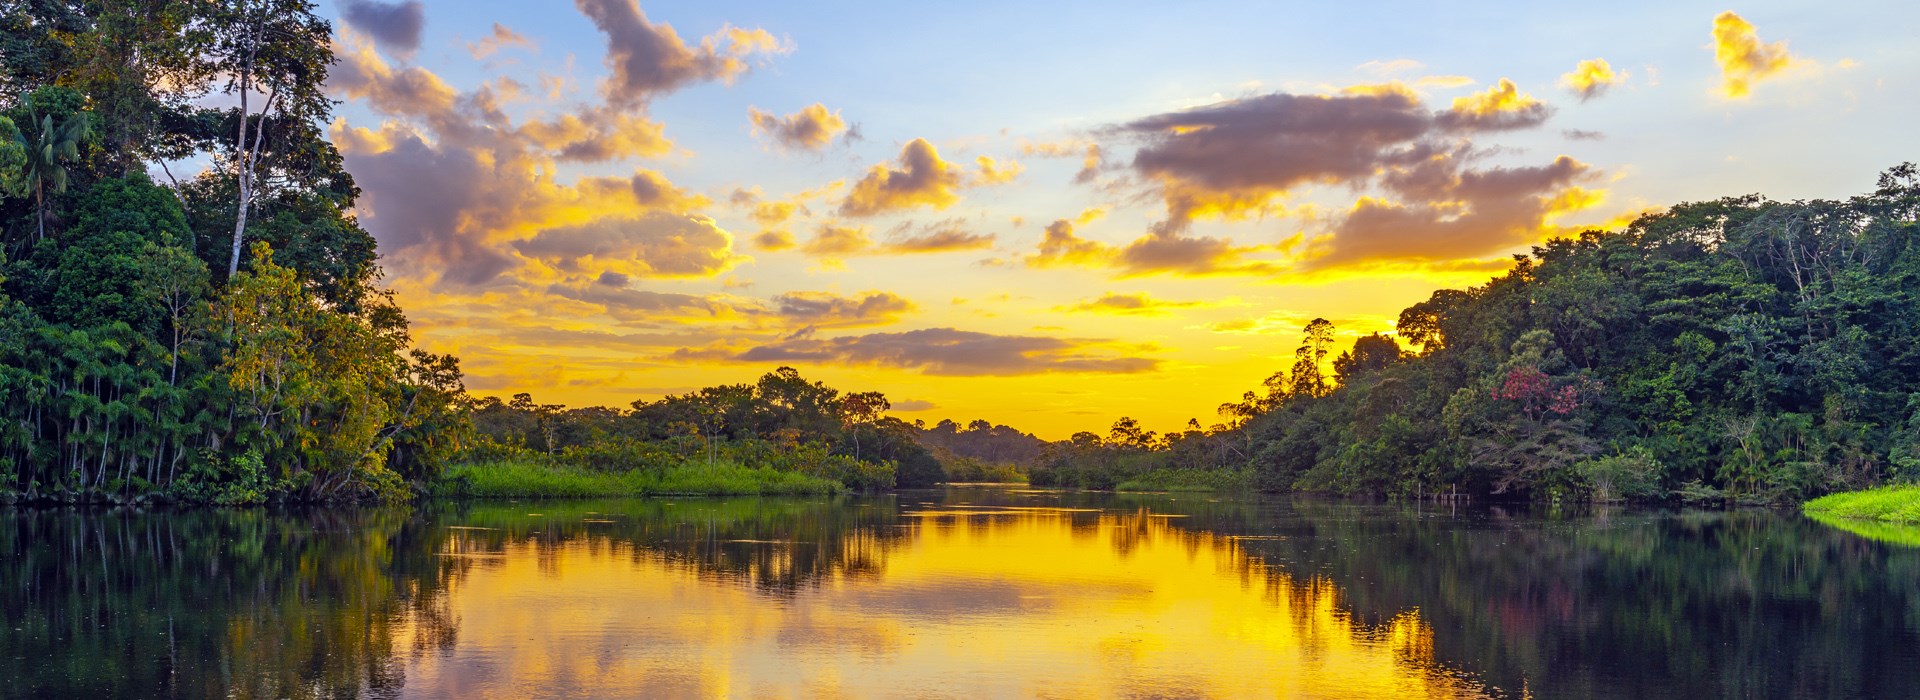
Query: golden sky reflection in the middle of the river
point(971, 603)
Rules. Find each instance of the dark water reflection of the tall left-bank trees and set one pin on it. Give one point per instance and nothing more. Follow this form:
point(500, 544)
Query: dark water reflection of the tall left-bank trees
point(203, 605)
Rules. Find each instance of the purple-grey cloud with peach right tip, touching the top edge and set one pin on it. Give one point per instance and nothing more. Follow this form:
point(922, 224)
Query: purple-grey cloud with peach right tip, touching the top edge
point(650, 60)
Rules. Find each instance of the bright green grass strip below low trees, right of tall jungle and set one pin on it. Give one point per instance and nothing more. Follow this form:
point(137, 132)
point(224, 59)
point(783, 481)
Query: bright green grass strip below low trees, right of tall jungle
point(533, 480)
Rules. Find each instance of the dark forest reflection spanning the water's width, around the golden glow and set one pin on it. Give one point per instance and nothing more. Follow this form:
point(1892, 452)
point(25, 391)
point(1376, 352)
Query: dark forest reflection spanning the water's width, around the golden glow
point(1602, 605)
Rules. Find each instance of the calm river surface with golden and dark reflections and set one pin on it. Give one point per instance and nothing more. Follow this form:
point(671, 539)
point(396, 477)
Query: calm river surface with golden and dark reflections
point(953, 594)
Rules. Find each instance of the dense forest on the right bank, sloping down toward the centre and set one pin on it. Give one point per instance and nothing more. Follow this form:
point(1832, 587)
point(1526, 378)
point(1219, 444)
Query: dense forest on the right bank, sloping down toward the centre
point(1735, 350)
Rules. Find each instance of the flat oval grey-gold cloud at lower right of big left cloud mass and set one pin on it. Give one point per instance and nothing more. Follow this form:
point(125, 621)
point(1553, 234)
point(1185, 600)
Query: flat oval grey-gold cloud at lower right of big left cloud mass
point(654, 245)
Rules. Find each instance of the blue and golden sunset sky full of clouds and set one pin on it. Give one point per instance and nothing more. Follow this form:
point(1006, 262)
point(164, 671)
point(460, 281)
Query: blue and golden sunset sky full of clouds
point(1045, 216)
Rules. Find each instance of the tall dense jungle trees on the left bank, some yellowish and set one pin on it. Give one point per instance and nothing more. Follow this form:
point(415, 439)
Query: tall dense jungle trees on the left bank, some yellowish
point(220, 338)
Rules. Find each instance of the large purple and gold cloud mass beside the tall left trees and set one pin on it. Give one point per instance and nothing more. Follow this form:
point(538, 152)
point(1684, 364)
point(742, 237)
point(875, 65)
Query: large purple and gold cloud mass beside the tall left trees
point(458, 191)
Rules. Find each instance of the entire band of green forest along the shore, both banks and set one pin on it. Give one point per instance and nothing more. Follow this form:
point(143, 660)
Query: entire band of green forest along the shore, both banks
point(226, 338)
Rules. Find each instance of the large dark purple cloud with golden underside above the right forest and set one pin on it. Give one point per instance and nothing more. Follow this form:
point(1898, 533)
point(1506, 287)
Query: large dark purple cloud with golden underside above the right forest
point(1243, 158)
